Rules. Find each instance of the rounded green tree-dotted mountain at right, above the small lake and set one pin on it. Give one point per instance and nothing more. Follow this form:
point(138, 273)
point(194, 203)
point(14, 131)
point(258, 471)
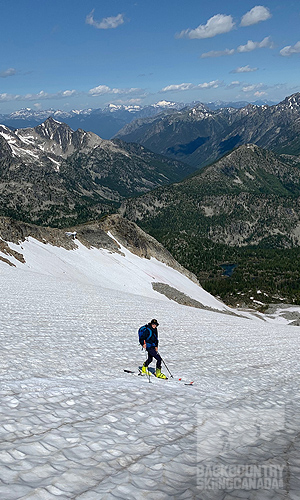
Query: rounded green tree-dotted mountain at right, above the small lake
point(248, 196)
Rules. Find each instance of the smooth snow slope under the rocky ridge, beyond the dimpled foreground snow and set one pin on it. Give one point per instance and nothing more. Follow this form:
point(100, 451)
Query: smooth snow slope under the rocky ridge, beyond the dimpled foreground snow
point(124, 272)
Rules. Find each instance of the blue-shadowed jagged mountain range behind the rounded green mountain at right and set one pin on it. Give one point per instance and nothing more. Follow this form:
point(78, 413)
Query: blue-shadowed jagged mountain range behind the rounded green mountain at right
point(199, 136)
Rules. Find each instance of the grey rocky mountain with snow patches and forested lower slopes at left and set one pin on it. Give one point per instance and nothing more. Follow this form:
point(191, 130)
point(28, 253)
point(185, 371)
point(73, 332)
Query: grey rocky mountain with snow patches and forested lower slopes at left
point(52, 175)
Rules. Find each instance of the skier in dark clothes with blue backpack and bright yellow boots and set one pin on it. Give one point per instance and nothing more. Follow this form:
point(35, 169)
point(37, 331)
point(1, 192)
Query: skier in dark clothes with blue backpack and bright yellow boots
point(148, 336)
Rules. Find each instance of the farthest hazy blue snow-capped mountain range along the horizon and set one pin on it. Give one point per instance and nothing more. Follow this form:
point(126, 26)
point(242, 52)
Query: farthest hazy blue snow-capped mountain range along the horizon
point(104, 122)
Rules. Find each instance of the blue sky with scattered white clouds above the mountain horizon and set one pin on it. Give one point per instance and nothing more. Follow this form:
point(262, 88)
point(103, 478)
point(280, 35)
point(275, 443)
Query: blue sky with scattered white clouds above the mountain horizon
point(68, 54)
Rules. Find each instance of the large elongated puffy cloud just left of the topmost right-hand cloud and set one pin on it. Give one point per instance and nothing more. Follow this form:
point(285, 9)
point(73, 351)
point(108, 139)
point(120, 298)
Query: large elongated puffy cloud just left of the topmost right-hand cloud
point(216, 25)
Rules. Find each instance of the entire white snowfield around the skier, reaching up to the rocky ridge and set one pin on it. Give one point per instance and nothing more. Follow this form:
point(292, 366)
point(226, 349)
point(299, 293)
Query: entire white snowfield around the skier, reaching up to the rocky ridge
point(74, 425)
